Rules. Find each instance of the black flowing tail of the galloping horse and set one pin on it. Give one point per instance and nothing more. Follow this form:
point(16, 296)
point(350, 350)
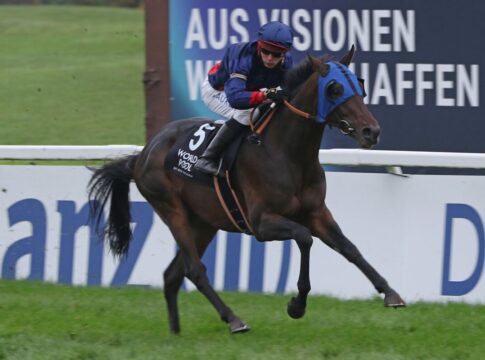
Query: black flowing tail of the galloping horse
point(113, 181)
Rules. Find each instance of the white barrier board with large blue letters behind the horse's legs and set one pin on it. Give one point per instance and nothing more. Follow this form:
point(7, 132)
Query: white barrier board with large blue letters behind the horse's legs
point(423, 233)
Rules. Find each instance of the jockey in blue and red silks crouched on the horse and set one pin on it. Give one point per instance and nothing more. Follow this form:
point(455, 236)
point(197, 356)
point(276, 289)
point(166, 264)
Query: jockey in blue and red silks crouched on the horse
point(233, 86)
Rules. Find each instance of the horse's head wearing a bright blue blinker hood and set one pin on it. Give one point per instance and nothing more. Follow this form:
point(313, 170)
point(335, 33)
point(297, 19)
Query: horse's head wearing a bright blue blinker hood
point(340, 101)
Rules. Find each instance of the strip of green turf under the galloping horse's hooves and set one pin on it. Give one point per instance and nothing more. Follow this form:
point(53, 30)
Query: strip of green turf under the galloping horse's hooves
point(45, 321)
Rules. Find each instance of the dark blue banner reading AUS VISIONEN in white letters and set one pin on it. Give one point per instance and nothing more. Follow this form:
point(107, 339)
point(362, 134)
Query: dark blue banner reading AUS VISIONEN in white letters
point(421, 60)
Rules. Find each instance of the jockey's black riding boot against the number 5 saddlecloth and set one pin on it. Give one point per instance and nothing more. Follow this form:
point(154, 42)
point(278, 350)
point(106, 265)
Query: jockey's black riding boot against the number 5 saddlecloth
point(208, 162)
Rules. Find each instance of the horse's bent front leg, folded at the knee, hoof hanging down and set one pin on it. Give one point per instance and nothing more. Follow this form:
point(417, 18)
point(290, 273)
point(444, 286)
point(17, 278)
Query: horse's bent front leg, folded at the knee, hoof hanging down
point(276, 227)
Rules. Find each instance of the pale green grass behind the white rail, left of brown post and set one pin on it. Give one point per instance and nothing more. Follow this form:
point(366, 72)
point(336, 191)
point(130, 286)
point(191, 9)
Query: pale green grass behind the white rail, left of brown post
point(71, 75)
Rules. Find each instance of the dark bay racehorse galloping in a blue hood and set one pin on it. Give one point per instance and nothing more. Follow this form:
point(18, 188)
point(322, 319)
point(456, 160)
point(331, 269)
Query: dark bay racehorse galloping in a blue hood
point(280, 183)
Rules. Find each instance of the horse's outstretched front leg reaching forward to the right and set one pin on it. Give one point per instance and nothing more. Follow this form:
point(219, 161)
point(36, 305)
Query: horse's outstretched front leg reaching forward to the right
point(325, 227)
